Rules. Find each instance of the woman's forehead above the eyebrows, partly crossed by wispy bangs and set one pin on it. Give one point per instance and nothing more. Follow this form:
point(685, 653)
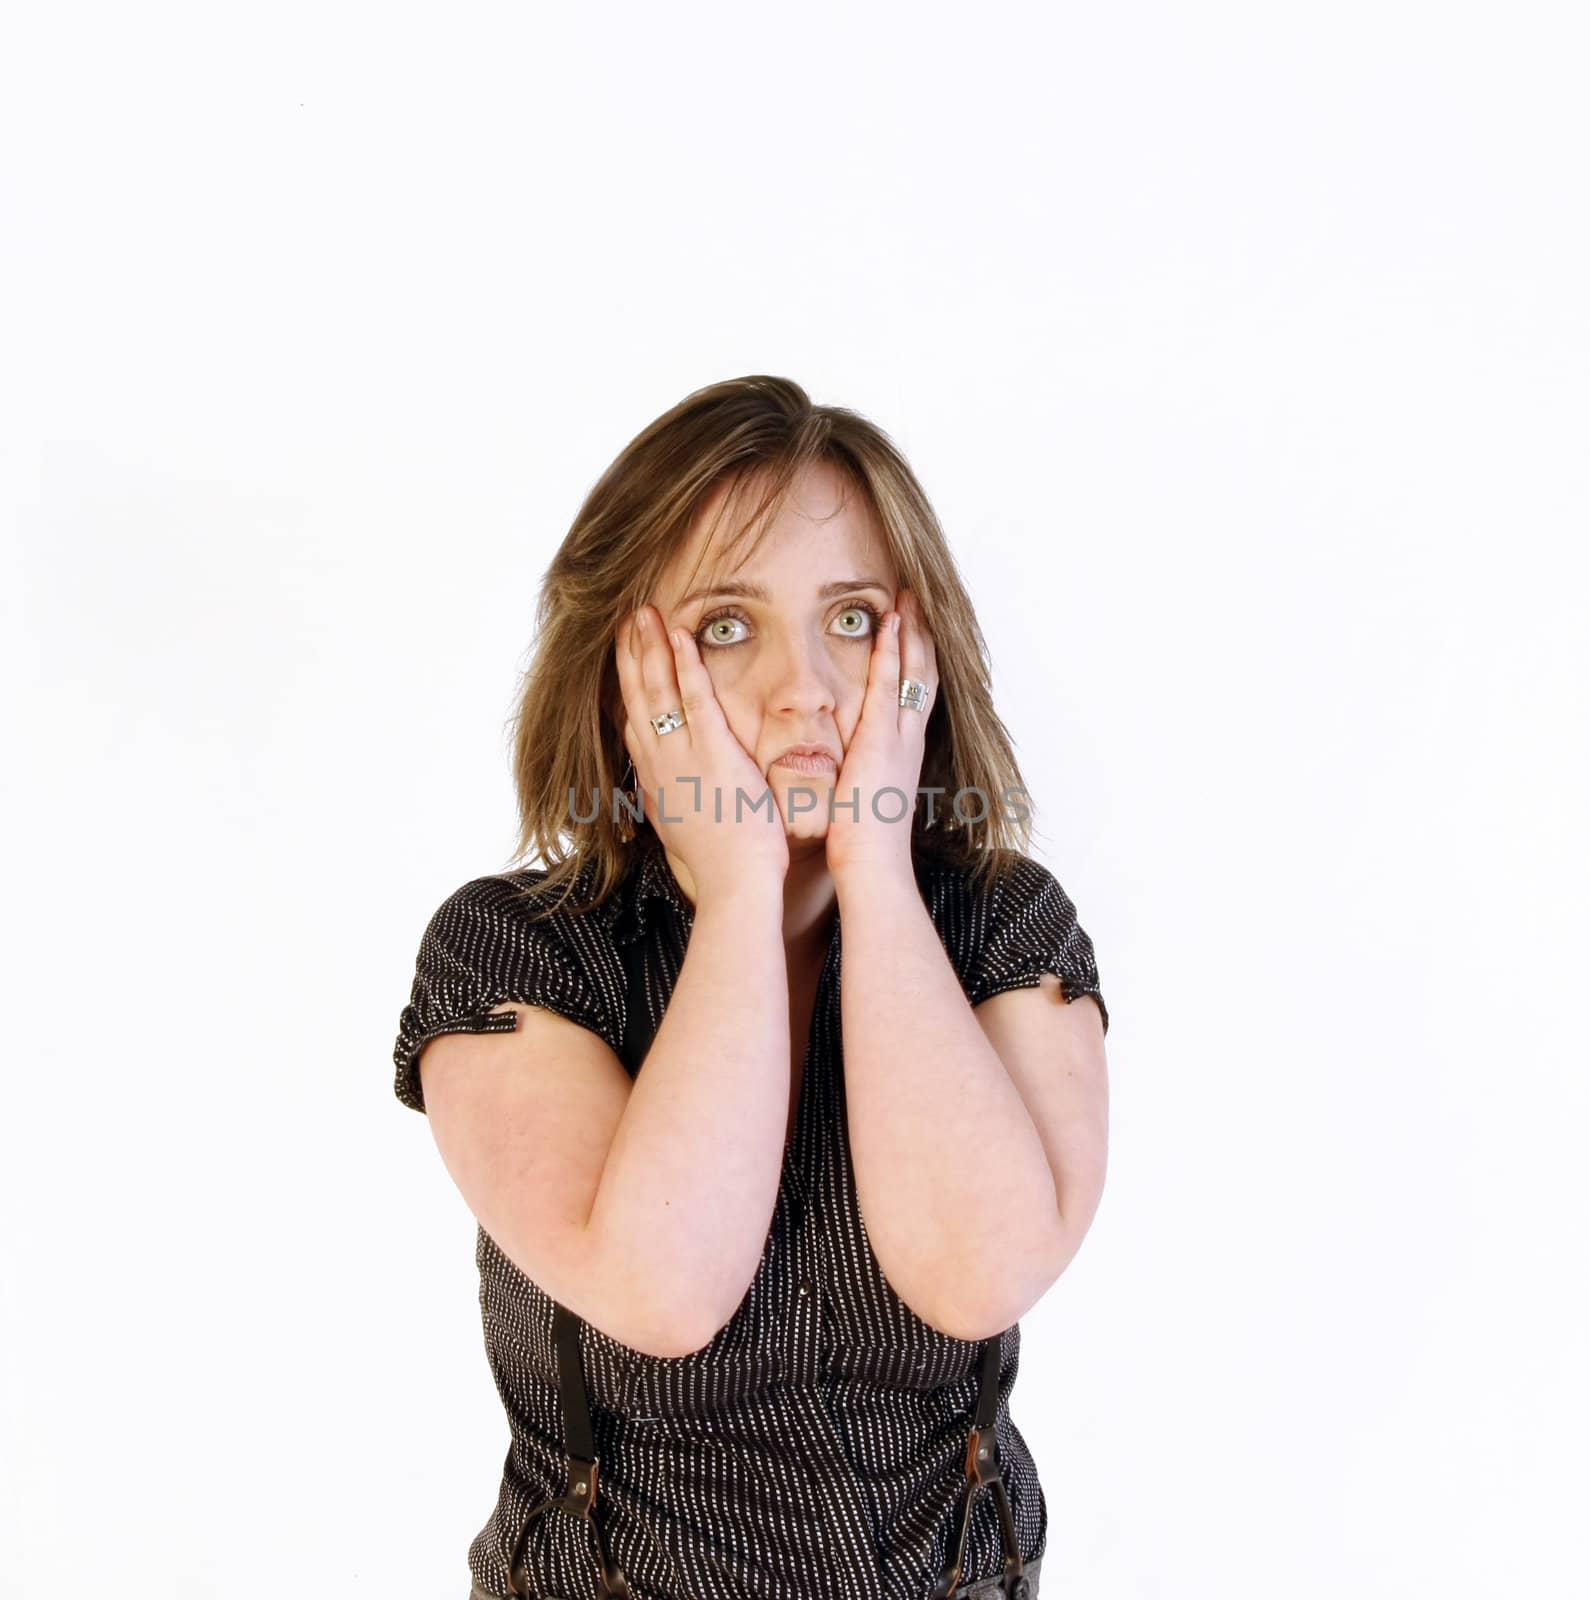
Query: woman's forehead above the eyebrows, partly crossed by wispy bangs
point(826, 529)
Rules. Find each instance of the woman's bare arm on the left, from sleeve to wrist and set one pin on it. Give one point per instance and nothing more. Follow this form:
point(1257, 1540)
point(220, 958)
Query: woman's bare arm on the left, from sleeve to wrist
point(642, 1206)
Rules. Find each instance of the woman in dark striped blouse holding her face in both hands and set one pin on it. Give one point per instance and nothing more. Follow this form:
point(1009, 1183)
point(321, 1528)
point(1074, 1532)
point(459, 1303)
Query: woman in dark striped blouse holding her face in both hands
point(761, 1209)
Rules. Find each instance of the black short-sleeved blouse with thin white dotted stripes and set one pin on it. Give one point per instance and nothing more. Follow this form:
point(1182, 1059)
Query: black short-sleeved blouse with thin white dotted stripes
point(817, 1446)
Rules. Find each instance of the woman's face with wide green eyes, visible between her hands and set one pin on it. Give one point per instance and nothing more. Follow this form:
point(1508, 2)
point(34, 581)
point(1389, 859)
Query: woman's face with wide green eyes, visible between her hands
point(788, 636)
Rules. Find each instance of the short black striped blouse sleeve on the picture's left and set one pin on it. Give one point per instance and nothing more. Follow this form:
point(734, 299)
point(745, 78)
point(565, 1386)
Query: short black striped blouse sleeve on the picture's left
point(479, 951)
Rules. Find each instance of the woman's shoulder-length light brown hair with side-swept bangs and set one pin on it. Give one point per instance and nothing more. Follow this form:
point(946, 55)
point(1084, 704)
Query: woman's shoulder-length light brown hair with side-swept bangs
point(745, 433)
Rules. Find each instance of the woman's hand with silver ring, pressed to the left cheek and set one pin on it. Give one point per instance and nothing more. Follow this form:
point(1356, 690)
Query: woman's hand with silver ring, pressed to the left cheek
point(657, 678)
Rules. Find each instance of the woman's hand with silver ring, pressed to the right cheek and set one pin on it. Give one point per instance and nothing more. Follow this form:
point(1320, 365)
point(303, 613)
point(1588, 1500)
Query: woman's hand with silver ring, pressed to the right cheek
point(876, 788)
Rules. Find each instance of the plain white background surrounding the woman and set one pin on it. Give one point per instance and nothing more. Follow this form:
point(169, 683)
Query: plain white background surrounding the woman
point(1244, 353)
